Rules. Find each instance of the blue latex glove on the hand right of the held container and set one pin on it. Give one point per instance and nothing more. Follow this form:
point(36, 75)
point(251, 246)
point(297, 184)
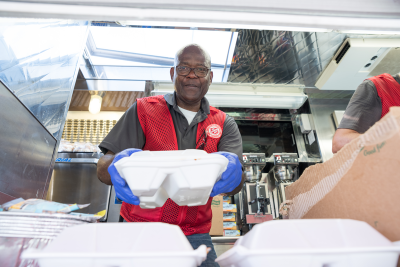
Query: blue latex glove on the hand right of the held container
point(232, 176)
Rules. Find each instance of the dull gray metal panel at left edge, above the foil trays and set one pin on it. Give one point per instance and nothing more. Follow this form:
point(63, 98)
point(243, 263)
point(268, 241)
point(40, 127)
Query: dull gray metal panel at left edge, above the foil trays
point(26, 150)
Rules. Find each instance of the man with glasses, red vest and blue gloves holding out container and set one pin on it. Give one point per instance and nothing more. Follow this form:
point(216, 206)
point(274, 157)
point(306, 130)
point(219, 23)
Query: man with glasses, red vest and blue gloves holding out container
point(177, 121)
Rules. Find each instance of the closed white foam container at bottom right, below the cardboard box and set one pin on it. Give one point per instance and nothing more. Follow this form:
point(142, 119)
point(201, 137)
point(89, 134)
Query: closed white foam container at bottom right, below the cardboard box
point(312, 243)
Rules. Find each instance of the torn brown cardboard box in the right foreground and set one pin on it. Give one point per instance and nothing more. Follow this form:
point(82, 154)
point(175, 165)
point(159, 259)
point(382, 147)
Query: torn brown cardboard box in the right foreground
point(360, 182)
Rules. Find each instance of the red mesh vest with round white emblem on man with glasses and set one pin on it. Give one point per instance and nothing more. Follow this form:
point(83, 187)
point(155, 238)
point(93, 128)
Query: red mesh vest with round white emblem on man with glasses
point(158, 127)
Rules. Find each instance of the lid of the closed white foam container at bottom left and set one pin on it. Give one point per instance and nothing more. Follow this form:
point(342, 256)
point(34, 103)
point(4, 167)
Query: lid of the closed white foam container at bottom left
point(120, 240)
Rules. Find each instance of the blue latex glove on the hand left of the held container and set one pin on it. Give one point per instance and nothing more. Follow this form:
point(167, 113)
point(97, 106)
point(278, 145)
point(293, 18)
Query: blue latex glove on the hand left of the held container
point(122, 189)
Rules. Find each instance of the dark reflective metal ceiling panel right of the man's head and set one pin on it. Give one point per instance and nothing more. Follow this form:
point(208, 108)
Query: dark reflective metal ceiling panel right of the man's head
point(282, 57)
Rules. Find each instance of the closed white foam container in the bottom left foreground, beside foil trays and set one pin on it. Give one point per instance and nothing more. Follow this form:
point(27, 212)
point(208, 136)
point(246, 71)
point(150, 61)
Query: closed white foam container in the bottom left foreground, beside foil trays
point(119, 245)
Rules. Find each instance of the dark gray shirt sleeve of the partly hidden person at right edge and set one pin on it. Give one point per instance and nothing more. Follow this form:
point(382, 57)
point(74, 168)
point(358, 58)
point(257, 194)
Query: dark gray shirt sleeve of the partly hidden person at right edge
point(364, 108)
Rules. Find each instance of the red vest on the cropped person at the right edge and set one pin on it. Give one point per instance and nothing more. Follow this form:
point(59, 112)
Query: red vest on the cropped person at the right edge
point(388, 90)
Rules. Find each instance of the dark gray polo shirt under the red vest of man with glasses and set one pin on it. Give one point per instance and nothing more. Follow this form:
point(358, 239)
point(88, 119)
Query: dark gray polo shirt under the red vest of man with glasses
point(128, 132)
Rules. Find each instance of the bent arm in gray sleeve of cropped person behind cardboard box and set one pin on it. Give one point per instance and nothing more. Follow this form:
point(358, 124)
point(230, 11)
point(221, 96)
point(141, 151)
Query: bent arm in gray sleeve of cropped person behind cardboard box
point(363, 111)
